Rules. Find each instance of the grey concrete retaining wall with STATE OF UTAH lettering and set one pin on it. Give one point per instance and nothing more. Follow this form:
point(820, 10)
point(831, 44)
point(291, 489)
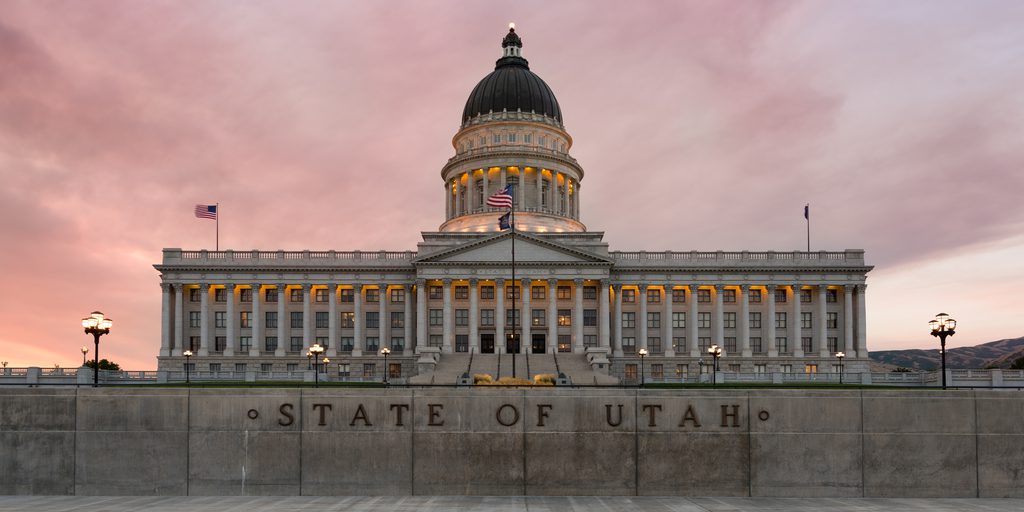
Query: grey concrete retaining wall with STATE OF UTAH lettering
point(508, 442)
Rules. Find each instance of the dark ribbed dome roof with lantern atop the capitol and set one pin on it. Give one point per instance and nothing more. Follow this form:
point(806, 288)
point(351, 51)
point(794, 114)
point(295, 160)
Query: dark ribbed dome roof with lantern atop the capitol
point(513, 88)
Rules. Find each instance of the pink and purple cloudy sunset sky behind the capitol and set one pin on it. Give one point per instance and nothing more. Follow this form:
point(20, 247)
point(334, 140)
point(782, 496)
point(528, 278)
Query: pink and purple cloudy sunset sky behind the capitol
point(325, 125)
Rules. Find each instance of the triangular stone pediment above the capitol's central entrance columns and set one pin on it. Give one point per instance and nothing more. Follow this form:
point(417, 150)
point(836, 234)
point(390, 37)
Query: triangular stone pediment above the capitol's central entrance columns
point(498, 250)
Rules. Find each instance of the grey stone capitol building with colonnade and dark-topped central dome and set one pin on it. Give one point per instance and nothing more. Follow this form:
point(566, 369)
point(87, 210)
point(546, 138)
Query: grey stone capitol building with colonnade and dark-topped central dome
point(572, 303)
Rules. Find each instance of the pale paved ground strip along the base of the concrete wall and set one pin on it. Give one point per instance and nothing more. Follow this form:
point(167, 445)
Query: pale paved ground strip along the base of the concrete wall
point(513, 504)
